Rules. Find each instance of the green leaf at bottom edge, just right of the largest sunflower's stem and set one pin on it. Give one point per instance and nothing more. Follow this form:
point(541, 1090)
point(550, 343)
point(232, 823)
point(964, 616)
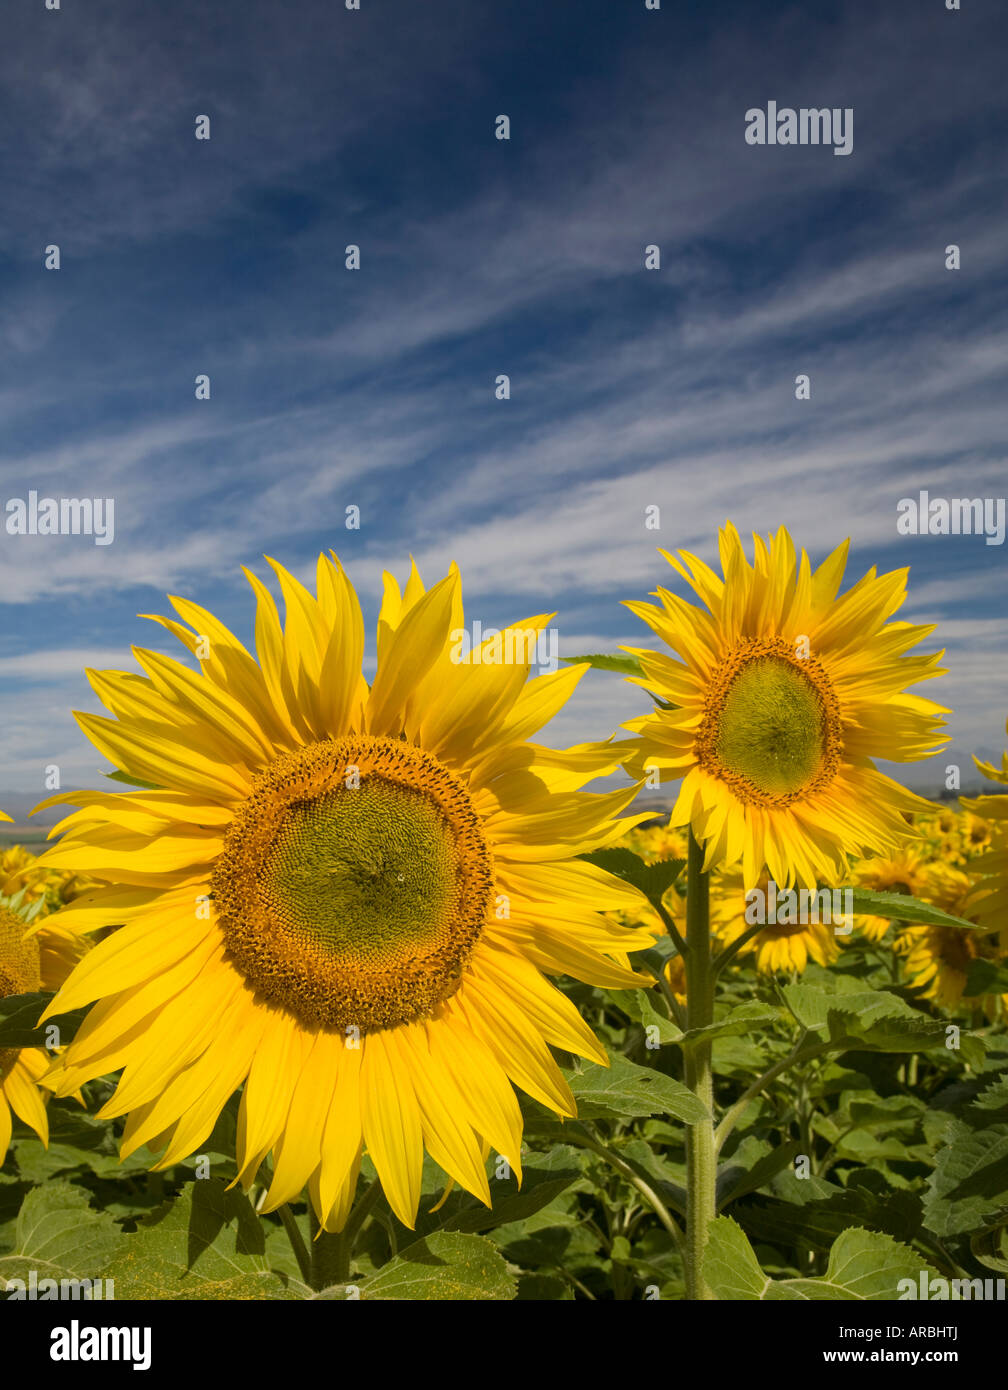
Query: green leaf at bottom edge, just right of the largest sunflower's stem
point(444, 1266)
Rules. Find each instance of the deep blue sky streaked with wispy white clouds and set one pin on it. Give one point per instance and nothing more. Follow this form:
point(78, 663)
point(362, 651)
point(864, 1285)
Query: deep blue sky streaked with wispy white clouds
point(479, 256)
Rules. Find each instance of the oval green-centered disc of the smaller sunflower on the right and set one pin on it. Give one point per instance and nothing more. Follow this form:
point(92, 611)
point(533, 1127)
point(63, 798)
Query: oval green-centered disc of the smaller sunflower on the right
point(772, 726)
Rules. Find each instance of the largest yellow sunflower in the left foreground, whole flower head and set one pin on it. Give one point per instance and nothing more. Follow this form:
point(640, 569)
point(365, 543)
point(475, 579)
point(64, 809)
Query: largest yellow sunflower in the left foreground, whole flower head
point(339, 899)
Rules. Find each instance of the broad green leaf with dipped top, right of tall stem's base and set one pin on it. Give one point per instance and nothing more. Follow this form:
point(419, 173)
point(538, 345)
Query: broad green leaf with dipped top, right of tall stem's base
point(863, 1266)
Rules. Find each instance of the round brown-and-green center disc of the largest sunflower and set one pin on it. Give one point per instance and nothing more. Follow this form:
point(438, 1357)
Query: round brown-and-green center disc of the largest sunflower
point(355, 883)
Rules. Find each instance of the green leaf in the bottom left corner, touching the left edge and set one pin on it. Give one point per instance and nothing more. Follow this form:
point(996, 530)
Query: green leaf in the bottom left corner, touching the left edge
point(60, 1238)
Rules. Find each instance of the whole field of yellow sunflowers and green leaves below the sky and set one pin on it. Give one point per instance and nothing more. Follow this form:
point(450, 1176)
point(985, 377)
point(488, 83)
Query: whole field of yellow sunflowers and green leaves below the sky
point(351, 990)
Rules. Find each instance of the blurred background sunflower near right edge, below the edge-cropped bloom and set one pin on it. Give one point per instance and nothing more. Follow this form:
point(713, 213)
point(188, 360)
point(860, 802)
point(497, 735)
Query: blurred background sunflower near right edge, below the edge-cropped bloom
point(938, 960)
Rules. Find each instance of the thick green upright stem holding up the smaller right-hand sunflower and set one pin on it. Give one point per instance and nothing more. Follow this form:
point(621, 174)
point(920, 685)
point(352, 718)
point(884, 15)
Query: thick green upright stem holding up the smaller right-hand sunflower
point(701, 1164)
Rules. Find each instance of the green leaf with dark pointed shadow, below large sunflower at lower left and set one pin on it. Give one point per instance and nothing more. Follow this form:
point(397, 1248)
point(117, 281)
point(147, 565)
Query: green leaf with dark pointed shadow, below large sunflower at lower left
point(208, 1243)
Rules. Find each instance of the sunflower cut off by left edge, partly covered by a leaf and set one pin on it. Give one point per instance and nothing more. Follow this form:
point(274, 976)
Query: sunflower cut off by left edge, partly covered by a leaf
point(31, 958)
